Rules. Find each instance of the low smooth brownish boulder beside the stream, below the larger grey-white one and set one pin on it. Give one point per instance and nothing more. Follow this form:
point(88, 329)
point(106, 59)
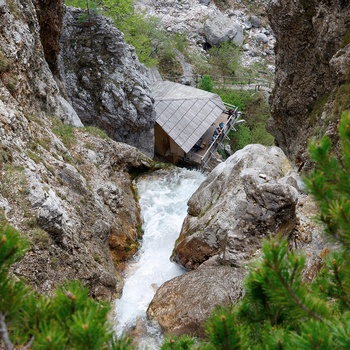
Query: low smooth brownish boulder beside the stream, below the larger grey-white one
point(183, 304)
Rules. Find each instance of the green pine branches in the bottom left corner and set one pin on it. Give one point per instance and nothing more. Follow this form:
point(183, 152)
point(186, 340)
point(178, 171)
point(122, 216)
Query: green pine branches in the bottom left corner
point(68, 320)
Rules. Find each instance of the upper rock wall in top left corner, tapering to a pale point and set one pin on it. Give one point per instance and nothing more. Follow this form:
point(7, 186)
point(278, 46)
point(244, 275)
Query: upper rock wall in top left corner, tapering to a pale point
point(25, 78)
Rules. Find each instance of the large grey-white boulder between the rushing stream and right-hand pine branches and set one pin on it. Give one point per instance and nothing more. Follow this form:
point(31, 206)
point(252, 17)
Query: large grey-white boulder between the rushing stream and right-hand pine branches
point(250, 196)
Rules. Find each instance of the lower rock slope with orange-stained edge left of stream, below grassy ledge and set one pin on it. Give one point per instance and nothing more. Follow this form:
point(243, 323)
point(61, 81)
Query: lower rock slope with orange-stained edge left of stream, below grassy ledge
point(74, 203)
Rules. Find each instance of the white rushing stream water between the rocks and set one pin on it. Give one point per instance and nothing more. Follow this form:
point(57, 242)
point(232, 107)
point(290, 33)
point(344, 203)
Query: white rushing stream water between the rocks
point(163, 202)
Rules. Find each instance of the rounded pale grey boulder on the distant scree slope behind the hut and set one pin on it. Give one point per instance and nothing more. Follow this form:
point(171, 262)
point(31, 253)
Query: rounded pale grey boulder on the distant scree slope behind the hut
point(220, 28)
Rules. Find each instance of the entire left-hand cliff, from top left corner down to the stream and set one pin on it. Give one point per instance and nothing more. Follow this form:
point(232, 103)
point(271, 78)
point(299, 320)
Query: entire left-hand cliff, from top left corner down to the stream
point(66, 188)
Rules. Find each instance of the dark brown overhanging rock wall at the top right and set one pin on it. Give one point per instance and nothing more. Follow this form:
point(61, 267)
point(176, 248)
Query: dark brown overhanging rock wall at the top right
point(309, 56)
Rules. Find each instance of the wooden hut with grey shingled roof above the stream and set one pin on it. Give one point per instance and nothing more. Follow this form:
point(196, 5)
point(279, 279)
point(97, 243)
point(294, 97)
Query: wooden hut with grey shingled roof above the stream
point(184, 116)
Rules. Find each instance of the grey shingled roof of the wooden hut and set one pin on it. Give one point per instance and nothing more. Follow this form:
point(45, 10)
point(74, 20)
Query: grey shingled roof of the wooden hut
point(185, 113)
